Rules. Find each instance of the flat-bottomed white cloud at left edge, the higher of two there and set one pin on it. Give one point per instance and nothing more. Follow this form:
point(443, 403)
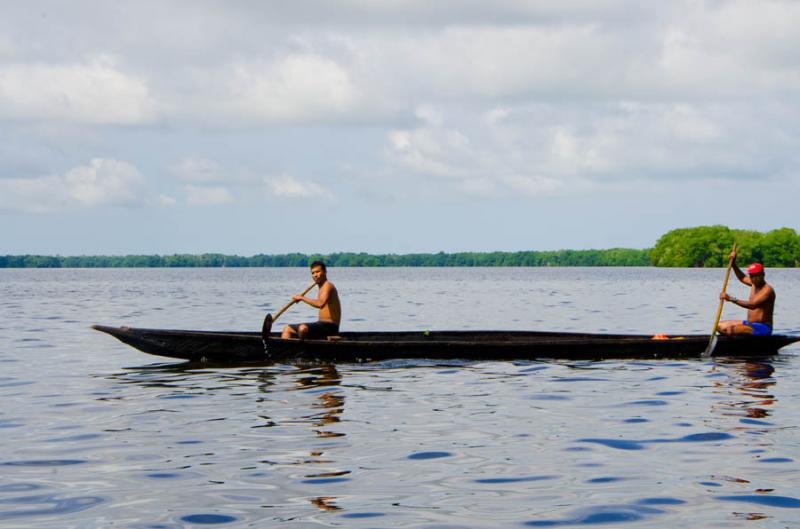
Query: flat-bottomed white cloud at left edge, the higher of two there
point(95, 92)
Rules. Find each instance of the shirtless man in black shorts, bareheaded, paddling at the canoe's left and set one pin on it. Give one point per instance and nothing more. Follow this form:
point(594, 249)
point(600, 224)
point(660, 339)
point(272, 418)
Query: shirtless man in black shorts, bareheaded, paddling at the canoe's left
point(330, 310)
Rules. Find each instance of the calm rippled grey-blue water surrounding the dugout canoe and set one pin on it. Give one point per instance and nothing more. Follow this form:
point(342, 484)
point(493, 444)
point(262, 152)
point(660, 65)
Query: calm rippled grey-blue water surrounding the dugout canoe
point(96, 434)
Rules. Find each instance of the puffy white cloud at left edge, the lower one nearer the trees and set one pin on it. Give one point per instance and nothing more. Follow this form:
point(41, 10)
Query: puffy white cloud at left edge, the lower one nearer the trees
point(103, 182)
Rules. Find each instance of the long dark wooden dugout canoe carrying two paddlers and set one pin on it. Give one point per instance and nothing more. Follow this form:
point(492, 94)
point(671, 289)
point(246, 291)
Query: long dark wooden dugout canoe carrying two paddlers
point(239, 347)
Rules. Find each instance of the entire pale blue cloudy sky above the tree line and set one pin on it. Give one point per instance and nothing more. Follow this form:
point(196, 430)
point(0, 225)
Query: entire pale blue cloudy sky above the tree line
point(398, 126)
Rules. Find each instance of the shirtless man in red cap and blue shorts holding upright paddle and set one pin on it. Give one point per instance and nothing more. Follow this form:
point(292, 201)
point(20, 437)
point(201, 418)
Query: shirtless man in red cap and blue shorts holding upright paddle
point(759, 305)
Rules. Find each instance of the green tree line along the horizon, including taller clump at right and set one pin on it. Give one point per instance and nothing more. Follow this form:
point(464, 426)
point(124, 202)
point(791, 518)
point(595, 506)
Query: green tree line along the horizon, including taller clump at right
point(703, 246)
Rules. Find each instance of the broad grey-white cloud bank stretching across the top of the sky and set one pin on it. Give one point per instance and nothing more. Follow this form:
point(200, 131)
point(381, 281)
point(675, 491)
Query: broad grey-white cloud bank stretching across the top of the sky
point(363, 63)
